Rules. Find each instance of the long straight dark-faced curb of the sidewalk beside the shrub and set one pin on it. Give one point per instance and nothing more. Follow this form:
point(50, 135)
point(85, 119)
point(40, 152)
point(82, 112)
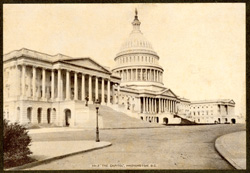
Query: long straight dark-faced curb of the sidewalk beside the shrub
point(48, 160)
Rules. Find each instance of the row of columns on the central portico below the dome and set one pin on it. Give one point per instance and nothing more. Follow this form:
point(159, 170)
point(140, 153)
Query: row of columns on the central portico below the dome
point(158, 105)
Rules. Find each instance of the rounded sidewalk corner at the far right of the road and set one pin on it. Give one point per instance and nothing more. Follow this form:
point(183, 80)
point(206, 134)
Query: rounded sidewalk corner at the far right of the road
point(233, 148)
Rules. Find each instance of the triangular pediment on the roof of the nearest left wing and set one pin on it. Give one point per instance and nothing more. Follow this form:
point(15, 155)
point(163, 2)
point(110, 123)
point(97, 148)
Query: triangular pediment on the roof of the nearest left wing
point(87, 63)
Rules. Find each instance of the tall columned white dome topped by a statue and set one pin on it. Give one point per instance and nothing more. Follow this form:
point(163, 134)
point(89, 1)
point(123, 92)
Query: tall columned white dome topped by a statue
point(137, 63)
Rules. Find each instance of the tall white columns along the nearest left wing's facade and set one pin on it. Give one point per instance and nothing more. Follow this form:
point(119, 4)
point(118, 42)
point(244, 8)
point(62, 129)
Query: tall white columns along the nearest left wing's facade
point(60, 87)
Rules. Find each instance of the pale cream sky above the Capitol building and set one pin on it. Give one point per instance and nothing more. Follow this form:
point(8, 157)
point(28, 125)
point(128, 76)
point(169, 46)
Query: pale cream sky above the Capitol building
point(201, 45)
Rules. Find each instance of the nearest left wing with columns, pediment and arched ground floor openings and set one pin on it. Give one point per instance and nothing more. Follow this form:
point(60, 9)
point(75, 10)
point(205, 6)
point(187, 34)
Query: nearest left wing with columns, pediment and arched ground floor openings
point(52, 86)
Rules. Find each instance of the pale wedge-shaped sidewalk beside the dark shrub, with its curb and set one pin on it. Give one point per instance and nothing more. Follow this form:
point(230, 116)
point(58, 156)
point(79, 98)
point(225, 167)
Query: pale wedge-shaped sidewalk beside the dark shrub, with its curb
point(48, 151)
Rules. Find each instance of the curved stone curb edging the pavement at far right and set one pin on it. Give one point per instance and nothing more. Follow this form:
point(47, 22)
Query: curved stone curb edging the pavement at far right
point(224, 153)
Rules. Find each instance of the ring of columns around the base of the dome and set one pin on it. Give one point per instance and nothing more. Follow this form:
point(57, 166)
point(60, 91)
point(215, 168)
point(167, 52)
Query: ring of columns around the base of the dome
point(142, 74)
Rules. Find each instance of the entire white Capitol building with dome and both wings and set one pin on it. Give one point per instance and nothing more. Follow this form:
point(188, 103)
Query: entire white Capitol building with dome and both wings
point(41, 88)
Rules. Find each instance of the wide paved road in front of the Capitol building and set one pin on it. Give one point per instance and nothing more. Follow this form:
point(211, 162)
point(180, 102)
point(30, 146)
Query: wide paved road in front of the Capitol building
point(173, 147)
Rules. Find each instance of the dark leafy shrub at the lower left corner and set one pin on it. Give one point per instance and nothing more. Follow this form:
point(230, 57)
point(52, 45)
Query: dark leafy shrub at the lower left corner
point(16, 143)
